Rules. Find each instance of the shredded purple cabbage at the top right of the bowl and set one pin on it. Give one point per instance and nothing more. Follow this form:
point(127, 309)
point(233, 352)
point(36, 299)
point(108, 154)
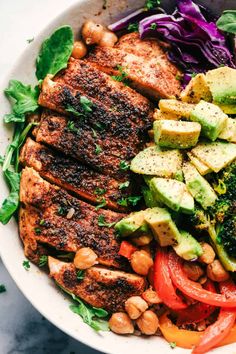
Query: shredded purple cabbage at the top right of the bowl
point(196, 45)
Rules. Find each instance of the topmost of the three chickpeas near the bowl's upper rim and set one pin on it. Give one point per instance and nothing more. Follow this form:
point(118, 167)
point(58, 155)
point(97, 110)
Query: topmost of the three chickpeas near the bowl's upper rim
point(92, 32)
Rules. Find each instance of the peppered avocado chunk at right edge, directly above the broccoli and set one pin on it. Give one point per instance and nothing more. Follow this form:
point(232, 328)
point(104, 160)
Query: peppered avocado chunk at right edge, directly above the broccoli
point(216, 155)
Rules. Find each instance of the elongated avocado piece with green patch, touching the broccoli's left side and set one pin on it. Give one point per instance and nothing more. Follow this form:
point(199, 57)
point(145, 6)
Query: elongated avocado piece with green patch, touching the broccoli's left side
point(198, 186)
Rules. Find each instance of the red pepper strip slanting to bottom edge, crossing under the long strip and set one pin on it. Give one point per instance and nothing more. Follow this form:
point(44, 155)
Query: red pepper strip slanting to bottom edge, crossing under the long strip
point(215, 333)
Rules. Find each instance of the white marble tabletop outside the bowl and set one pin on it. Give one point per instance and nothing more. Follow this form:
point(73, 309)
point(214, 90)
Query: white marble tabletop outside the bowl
point(22, 328)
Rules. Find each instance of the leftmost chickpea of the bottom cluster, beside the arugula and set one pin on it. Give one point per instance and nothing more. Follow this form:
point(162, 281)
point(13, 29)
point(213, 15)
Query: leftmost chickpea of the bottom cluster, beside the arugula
point(120, 323)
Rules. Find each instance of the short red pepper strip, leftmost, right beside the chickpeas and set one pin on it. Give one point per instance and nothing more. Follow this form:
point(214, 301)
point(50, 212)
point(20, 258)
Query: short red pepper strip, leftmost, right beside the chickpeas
point(163, 284)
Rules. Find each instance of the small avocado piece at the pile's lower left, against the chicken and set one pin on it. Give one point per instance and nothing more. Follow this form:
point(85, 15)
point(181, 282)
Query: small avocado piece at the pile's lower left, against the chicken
point(131, 223)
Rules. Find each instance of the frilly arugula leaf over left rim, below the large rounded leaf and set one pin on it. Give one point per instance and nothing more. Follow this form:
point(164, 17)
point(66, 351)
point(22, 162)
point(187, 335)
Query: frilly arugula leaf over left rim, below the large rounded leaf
point(26, 100)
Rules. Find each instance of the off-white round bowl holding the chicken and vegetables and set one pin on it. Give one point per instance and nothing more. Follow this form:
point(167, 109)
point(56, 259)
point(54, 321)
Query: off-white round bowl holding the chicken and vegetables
point(37, 287)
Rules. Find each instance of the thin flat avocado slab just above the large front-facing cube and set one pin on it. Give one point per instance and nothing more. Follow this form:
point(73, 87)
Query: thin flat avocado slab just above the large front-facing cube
point(176, 107)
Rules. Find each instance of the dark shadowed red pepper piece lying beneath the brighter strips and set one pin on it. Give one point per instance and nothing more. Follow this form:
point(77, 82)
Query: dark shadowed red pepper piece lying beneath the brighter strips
point(197, 312)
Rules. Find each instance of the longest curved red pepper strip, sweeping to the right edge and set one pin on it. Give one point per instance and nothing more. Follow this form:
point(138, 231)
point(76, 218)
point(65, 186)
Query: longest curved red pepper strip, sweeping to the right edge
point(192, 289)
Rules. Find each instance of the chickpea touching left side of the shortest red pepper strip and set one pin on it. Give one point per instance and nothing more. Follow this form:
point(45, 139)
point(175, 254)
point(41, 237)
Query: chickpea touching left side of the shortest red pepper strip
point(141, 261)
